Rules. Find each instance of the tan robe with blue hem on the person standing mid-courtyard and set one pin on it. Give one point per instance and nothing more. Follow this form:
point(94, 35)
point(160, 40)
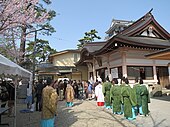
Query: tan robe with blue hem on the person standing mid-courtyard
point(69, 95)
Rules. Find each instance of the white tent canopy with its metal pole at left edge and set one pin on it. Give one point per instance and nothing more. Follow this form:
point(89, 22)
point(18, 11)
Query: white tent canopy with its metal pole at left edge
point(11, 69)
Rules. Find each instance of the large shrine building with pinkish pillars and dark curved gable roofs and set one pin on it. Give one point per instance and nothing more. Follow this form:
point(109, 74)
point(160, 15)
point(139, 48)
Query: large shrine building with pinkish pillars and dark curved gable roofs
point(124, 53)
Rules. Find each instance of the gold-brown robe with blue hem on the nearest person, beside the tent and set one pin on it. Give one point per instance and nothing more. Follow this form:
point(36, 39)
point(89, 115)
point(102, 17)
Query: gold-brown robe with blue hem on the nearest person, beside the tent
point(49, 106)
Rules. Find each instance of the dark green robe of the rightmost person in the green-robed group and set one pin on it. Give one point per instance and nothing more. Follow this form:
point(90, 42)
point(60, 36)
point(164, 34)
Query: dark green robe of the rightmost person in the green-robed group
point(145, 99)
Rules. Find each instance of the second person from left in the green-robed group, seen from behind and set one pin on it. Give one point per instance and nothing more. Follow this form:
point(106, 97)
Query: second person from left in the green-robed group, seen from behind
point(115, 96)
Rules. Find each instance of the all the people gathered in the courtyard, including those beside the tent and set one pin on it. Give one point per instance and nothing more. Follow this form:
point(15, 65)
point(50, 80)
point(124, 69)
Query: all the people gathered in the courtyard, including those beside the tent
point(130, 100)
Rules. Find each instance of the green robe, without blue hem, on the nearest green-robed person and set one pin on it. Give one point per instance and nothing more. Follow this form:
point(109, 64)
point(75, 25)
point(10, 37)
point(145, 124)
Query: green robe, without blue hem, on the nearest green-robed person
point(128, 99)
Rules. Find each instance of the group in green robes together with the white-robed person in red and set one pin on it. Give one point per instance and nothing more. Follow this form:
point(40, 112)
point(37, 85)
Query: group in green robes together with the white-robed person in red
point(123, 98)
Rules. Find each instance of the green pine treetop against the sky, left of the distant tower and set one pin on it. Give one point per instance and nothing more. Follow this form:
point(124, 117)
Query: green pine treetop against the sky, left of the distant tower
point(88, 37)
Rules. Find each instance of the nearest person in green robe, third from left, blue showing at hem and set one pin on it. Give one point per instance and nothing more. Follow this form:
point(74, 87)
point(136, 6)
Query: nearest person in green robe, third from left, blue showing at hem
point(128, 99)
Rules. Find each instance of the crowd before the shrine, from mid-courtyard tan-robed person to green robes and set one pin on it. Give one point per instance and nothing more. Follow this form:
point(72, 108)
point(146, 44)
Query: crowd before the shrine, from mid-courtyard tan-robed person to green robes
point(118, 95)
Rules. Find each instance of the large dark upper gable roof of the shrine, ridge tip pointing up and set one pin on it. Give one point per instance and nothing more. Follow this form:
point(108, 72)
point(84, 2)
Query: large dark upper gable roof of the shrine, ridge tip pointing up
point(127, 36)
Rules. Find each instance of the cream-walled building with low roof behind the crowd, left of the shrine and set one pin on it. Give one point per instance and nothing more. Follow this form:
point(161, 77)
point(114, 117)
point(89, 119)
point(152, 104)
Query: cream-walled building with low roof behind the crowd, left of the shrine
point(61, 65)
